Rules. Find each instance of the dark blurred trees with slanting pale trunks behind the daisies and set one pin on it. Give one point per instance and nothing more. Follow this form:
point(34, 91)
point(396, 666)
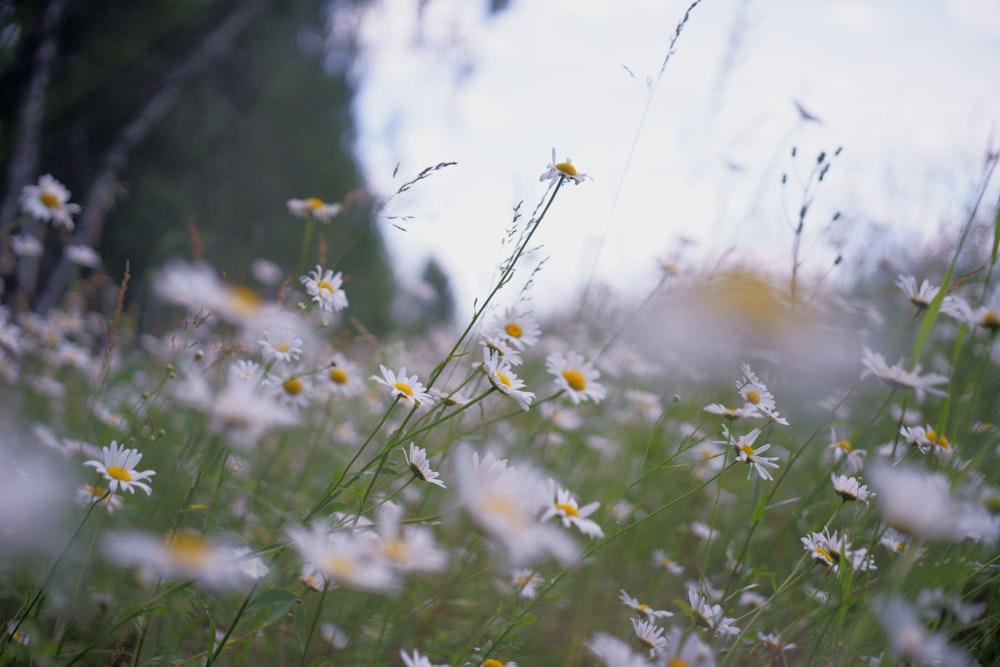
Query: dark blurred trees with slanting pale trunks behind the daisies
point(182, 128)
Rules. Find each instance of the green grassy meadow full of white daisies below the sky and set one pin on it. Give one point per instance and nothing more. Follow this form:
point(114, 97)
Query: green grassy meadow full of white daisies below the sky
point(725, 472)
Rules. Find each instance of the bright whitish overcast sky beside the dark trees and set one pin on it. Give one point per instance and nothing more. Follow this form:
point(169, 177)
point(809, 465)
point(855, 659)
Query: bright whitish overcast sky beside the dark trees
point(686, 163)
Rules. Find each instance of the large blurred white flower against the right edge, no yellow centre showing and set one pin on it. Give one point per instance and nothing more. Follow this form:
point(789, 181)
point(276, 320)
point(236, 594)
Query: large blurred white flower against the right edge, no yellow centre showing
point(917, 502)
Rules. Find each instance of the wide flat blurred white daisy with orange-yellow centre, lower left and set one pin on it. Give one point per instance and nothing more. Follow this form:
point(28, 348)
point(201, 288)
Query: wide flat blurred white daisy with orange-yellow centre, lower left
point(183, 555)
